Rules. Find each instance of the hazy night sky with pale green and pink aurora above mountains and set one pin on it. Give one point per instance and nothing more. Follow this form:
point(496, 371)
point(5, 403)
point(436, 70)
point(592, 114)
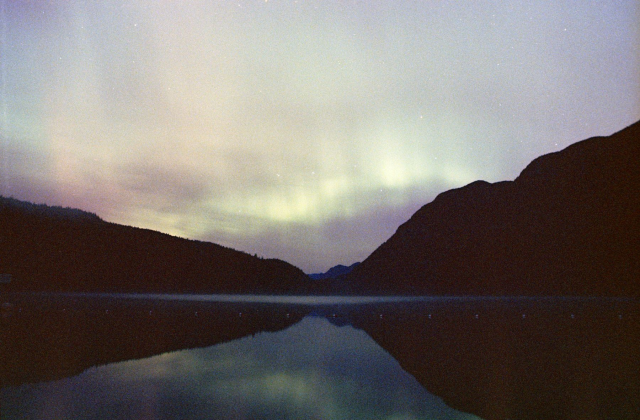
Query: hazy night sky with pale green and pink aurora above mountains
point(301, 130)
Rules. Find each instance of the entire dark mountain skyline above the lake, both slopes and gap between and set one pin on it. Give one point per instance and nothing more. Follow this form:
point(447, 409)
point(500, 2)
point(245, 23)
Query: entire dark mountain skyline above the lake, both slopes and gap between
point(568, 225)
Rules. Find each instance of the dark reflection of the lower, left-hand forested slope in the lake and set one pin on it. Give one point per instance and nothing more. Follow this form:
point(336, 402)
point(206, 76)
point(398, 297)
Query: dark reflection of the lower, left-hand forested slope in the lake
point(50, 338)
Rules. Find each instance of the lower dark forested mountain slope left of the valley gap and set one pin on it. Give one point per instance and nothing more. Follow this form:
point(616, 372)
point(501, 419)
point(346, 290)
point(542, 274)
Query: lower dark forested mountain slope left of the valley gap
point(57, 249)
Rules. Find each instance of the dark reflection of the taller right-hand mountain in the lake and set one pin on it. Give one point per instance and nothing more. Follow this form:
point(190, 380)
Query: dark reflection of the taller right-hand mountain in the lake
point(523, 360)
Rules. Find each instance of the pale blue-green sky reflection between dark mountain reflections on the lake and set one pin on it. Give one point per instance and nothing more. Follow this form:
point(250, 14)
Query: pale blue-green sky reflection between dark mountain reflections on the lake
point(313, 370)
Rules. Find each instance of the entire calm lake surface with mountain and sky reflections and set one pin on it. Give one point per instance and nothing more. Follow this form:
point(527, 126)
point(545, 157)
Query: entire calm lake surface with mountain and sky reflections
point(223, 357)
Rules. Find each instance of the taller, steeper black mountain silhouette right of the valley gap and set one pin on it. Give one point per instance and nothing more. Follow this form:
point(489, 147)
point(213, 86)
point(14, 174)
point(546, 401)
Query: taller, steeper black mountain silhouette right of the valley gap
point(568, 225)
